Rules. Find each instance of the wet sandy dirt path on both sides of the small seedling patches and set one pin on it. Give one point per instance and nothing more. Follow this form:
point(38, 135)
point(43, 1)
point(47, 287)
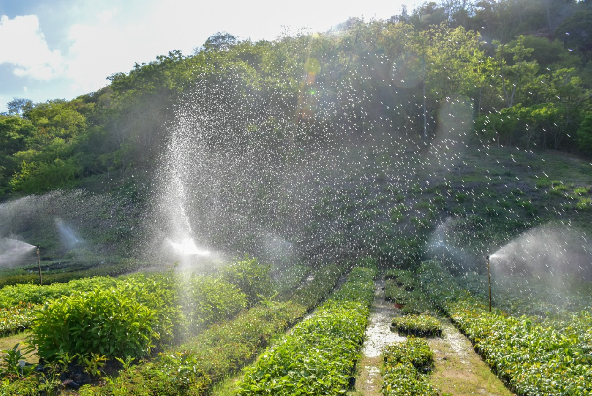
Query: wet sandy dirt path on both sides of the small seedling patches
point(458, 369)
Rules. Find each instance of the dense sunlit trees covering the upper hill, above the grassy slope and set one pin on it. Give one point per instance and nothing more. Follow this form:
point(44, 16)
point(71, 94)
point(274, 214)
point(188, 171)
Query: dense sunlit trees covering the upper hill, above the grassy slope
point(523, 67)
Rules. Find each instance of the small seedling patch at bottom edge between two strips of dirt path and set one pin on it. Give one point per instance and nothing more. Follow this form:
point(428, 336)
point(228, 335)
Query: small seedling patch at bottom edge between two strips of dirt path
point(405, 367)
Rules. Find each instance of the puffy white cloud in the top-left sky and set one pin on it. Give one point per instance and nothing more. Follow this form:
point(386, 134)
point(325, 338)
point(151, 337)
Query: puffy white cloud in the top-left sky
point(24, 47)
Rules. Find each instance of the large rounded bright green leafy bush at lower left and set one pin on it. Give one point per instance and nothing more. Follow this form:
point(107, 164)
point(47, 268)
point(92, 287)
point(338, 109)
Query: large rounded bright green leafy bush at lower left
point(110, 322)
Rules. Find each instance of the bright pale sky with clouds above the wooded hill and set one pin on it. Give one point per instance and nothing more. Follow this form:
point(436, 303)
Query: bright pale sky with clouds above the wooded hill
point(60, 49)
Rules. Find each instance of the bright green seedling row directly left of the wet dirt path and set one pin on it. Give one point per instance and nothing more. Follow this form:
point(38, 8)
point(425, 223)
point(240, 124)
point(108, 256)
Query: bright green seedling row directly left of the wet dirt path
point(319, 355)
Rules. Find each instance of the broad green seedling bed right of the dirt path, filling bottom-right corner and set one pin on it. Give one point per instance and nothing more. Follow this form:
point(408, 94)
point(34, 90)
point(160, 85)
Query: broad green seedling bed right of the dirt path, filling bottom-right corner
point(533, 358)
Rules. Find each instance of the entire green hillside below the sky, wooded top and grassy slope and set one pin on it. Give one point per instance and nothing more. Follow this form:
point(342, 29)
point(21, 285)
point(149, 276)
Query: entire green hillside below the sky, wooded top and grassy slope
point(448, 111)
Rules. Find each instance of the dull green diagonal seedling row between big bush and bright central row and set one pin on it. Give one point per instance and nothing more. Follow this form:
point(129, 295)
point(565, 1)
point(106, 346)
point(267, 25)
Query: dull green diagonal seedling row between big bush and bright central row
point(195, 366)
